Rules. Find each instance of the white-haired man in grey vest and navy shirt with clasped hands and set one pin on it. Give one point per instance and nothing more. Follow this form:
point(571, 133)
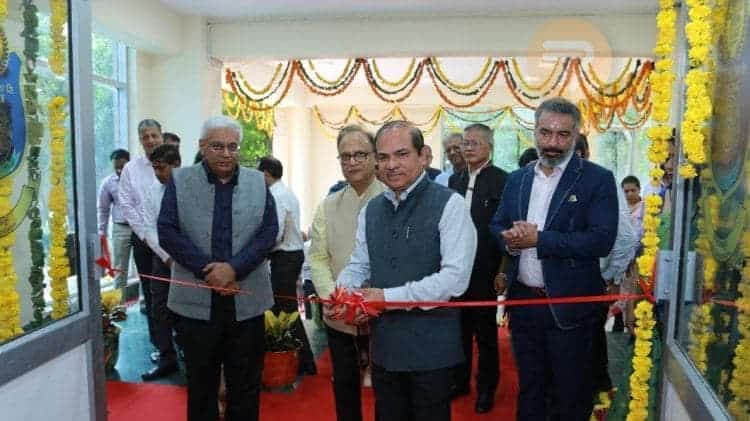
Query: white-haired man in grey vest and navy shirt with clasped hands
point(218, 223)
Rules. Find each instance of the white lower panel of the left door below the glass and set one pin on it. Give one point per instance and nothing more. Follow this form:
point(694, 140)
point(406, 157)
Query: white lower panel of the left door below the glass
point(57, 390)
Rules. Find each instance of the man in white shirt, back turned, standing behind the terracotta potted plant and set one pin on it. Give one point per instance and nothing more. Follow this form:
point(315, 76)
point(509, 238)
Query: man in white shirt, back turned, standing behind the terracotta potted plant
point(287, 255)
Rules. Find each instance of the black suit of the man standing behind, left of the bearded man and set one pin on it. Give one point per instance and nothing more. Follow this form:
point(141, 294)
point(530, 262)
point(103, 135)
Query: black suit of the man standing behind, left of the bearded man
point(481, 321)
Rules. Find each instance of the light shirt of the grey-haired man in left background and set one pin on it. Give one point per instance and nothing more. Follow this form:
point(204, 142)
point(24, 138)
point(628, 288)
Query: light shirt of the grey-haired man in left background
point(135, 179)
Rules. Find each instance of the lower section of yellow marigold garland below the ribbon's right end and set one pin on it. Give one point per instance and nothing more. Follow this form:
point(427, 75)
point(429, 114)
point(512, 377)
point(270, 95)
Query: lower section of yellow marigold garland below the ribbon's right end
point(639, 380)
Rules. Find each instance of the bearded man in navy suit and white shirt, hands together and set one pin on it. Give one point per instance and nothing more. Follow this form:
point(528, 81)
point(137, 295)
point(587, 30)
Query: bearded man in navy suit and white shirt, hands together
point(556, 219)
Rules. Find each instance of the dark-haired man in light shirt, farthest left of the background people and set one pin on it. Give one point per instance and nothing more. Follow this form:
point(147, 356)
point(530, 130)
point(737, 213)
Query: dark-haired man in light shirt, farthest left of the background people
point(109, 205)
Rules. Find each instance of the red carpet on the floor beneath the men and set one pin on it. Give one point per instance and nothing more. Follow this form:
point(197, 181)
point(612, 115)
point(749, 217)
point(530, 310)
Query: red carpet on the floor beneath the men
point(311, 400)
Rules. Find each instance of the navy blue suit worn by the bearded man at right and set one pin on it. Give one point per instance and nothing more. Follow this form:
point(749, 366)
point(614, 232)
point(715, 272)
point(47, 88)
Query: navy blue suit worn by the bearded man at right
point(580, 227)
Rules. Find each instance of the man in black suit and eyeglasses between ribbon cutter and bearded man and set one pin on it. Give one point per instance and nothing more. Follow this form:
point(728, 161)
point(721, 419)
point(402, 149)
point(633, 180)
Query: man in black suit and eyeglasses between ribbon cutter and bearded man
point(481, 184)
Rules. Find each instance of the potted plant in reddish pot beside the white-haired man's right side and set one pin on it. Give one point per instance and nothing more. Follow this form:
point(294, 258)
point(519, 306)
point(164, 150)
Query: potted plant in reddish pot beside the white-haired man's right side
point(280, 362)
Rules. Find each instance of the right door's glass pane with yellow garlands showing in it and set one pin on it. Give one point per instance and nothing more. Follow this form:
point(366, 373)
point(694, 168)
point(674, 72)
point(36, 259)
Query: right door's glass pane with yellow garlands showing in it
point(716, 263)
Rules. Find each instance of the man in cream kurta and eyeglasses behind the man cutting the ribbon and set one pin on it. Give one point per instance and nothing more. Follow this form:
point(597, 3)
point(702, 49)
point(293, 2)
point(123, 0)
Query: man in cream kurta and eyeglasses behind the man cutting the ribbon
point(333, 230)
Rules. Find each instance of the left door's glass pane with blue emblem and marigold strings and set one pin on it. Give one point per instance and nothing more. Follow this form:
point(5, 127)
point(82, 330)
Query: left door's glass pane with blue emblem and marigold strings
point(38, 282)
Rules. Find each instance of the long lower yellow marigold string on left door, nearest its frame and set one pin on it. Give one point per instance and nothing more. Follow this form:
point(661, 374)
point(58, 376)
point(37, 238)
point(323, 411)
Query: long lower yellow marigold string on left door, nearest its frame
point(59, 266)
